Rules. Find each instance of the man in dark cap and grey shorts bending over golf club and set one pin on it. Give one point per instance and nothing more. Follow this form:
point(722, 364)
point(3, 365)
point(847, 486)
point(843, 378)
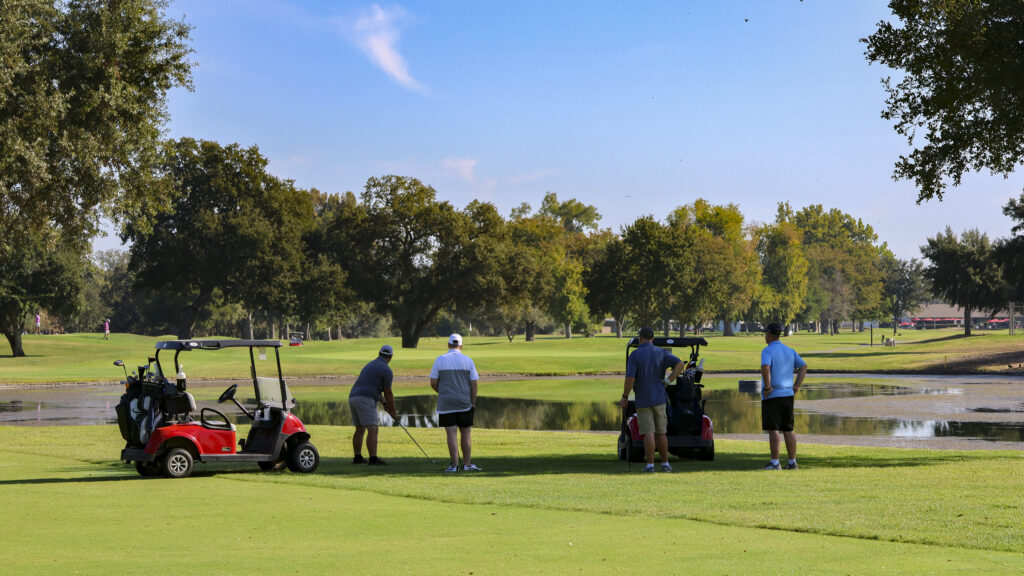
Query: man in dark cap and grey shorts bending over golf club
point(373, 386)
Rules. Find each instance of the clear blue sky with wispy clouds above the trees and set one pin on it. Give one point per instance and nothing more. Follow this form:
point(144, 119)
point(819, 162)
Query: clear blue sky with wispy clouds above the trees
point(634, 108)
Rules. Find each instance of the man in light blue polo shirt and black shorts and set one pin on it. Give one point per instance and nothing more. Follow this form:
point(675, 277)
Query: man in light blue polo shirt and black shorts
point(778, 364)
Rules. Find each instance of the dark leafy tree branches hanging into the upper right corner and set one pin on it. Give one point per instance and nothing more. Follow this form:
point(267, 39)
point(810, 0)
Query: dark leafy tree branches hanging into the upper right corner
point(961, 88)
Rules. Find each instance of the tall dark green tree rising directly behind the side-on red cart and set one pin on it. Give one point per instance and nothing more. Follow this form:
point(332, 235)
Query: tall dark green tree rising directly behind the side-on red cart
point(232, 227)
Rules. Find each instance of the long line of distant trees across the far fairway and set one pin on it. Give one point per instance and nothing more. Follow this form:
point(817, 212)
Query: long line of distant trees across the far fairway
point(236, 251)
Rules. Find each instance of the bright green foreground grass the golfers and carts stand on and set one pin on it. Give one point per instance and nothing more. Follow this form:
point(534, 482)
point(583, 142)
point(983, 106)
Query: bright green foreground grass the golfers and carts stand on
point(547, 504)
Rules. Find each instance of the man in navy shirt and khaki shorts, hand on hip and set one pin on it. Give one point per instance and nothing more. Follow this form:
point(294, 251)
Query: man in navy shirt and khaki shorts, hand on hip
point(645, 369)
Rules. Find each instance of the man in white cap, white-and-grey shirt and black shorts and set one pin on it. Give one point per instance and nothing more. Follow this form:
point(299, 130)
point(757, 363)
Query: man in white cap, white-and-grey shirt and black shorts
point(454, 379)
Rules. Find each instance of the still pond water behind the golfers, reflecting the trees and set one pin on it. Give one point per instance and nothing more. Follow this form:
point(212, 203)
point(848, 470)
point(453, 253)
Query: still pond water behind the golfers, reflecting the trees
point(733, 413)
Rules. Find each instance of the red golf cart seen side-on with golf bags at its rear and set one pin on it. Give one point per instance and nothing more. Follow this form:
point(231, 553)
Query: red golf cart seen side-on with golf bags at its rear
point(158, 421)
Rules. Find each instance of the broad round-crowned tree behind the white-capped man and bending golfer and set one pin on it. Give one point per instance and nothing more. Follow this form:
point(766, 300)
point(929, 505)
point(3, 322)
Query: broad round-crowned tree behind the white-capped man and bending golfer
point(414, 257)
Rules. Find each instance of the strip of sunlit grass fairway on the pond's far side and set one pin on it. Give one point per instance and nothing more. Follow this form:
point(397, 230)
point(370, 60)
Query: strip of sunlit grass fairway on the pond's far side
point(90, 358)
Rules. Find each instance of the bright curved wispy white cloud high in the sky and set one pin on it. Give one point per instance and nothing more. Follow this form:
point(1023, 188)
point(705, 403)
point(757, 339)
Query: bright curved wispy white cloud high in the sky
point(377, 33)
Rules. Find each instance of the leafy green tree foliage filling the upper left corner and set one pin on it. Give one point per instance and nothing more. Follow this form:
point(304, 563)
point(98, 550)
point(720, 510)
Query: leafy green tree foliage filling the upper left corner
point(83, 90)
